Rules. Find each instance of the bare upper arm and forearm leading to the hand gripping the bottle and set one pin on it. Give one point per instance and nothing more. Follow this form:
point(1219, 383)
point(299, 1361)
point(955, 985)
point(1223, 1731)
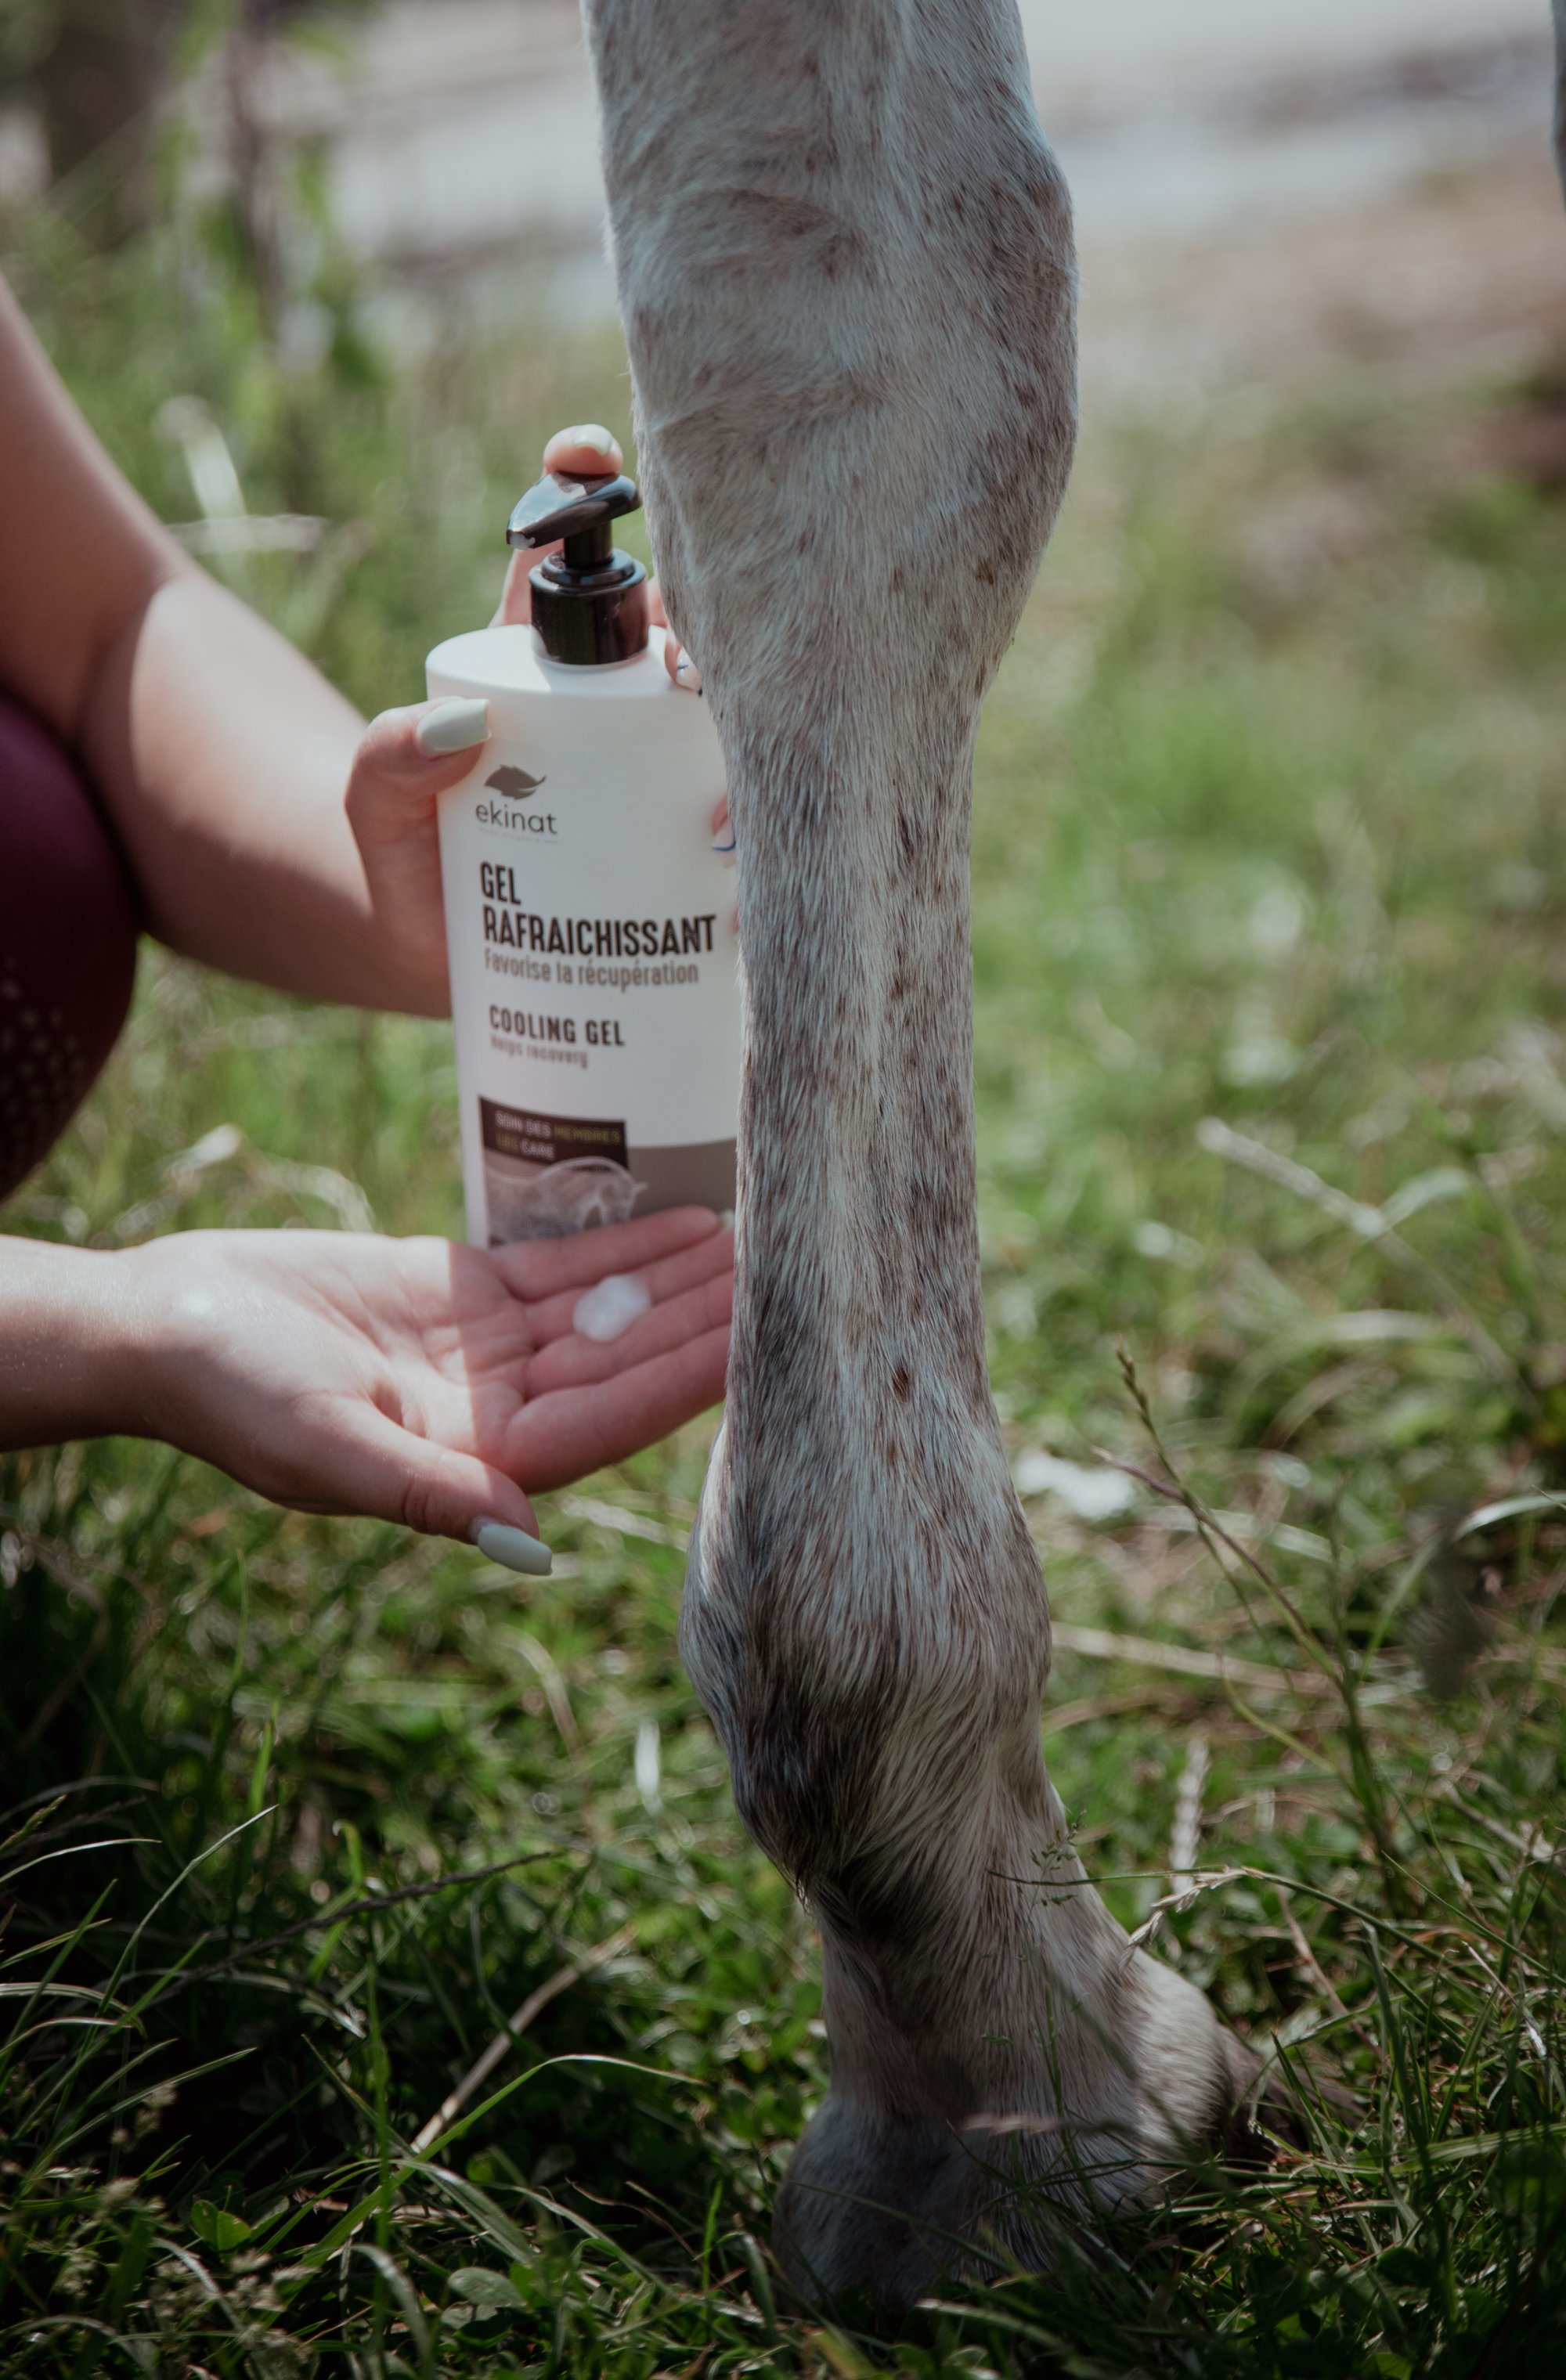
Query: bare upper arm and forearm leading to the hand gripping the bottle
point(218, 751)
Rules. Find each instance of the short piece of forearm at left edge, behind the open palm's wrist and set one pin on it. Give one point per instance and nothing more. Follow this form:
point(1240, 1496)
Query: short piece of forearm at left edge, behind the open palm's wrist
point(73, 1344)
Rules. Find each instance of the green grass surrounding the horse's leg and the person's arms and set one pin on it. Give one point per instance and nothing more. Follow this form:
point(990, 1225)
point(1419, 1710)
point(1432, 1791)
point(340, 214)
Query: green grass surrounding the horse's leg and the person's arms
point(301, 1812)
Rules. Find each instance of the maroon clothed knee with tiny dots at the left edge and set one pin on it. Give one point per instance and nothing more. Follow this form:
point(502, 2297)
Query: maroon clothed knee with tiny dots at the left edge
point(68, 944)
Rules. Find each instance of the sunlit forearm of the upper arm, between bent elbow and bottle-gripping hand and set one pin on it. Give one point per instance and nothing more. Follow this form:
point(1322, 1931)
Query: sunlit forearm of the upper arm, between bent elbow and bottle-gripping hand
point(223, 760)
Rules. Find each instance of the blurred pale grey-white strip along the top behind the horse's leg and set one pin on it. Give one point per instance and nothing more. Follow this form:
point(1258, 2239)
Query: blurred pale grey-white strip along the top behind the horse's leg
point(465, 132)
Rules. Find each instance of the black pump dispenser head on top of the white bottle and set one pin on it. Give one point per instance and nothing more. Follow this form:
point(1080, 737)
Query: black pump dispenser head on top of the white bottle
point(591, 599)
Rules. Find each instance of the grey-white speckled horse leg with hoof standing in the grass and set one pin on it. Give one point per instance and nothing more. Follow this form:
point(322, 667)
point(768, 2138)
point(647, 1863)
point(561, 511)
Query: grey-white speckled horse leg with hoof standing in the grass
point(844, 258)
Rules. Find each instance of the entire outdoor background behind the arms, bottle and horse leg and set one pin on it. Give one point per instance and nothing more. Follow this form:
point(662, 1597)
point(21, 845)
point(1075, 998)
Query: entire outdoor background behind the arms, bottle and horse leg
point(1270, 965)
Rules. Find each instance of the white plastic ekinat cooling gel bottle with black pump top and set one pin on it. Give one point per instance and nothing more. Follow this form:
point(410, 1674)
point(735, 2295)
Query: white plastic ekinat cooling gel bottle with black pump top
point(589, 910)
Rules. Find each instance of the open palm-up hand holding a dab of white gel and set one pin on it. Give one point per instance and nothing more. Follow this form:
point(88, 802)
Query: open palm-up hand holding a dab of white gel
point(425, 1382)
